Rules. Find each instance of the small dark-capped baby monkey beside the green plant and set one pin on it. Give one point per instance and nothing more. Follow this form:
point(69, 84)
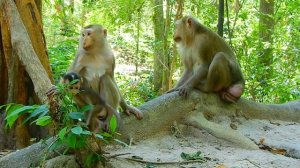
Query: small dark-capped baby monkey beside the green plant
point(98, 118)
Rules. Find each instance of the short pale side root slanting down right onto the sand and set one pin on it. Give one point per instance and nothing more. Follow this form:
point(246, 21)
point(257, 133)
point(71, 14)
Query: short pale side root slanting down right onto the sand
point(198, 120)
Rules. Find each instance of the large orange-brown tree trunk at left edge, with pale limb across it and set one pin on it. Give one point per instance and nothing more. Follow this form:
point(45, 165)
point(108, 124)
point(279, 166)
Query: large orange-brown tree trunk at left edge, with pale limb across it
point(25, 57)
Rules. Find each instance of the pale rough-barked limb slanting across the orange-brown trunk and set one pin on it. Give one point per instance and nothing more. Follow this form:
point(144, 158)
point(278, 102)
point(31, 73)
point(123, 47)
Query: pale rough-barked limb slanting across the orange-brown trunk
point(21, 45)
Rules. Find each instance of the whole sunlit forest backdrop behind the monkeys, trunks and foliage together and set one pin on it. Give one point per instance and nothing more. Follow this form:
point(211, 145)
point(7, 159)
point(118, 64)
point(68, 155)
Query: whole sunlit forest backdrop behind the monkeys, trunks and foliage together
point(263, 34)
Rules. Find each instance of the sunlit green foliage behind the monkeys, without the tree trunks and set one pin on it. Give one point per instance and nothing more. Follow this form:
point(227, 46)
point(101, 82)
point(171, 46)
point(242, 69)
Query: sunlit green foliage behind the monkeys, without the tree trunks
point(275, 83)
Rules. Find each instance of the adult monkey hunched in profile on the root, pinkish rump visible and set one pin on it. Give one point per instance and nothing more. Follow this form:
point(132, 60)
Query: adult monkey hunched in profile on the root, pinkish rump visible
point(210, 64)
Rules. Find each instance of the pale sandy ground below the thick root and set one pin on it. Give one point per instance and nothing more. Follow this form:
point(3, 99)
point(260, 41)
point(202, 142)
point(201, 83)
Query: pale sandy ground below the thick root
point(220, 153)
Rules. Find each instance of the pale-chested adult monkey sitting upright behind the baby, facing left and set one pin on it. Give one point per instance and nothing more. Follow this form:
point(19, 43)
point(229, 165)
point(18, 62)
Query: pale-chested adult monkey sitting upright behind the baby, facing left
point(95, 62)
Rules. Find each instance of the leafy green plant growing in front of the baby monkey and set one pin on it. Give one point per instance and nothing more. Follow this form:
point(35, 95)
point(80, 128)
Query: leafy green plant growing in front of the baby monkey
point(72, 132)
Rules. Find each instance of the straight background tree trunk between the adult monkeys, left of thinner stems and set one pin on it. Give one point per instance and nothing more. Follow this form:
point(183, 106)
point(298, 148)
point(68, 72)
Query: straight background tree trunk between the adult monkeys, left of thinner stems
point(158, 43)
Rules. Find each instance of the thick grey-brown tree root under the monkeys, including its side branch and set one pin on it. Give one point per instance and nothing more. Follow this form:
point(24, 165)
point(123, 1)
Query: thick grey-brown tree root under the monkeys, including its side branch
point(160, 113)
